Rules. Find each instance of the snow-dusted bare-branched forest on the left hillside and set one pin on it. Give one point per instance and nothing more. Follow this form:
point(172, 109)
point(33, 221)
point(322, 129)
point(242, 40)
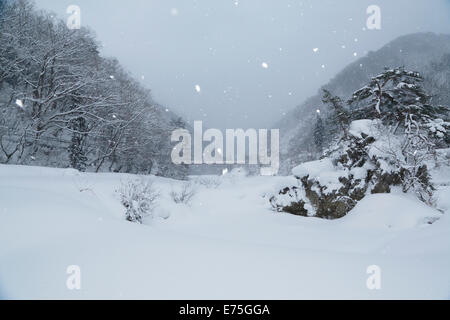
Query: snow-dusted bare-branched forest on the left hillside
point(64, 105)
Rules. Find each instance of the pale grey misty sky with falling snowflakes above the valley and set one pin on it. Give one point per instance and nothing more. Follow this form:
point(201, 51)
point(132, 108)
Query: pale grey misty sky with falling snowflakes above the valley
point(221, 46)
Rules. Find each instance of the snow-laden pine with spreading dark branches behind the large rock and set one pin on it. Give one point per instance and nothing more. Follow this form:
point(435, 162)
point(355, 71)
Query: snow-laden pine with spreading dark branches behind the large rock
point(413, 126)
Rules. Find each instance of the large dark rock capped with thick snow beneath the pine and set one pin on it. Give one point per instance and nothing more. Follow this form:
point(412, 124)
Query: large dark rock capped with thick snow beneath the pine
point(357, 165)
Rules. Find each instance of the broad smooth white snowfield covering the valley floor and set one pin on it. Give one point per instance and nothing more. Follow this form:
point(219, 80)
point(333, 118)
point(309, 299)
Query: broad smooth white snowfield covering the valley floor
point(227, 244)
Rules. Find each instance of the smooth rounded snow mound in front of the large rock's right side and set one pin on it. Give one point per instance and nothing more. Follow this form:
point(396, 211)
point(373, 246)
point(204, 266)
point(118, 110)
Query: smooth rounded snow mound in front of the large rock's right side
point(390, 211)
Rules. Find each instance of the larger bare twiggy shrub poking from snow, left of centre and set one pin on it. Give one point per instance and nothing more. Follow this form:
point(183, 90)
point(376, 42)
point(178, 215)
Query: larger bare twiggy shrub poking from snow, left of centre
point(139, 198)
